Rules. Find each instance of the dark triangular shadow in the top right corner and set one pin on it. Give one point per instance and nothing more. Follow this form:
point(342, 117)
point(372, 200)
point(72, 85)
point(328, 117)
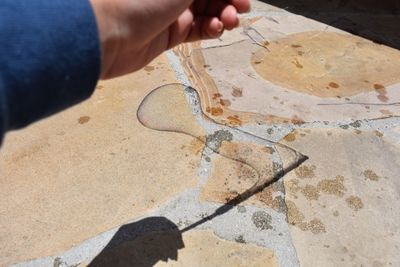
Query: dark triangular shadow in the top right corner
point(375, 20)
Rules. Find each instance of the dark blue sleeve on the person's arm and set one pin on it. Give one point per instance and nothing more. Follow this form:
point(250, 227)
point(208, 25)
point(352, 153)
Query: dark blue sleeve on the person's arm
point(49, 58)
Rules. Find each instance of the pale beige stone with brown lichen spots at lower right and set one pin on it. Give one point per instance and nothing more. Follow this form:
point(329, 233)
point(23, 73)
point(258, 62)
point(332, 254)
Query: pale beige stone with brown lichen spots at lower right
point(343, 203)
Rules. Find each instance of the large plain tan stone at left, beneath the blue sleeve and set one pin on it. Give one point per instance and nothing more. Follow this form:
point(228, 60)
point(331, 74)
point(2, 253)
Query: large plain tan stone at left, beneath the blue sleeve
point(89, 169)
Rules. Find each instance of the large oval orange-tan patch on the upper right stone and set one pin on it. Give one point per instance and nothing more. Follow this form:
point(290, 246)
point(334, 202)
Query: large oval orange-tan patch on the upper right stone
point(328, 64)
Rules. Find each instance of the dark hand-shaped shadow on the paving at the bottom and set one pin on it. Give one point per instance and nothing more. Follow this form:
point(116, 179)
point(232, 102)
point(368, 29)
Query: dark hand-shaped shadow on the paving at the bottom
point(142, 244)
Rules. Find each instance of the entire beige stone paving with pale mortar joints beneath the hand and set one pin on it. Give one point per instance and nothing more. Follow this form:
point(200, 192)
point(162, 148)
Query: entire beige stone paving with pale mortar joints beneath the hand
point(146, 170)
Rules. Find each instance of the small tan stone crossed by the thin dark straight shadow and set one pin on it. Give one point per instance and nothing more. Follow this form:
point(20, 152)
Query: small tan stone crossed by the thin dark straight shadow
point(229, 178)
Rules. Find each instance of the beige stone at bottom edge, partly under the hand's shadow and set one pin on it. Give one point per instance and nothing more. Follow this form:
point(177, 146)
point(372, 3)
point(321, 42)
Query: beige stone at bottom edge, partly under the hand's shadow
point(195, 248)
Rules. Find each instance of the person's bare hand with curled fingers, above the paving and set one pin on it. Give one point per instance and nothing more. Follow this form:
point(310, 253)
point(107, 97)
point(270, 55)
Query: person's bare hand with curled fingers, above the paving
point(134, 32)
